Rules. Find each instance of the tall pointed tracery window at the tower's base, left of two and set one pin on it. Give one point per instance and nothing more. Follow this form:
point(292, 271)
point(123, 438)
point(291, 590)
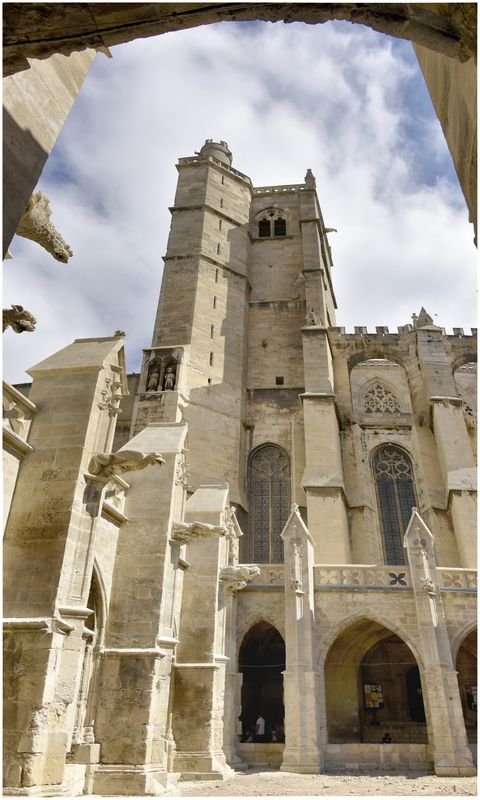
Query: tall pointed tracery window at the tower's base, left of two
point(269, 489)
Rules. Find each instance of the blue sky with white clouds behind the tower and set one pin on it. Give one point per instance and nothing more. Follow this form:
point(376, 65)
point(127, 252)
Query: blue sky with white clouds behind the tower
point(340, 99)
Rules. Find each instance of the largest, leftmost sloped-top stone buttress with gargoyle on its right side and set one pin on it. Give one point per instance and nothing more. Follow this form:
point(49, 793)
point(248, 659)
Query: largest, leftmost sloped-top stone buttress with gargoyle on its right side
point(48, 558)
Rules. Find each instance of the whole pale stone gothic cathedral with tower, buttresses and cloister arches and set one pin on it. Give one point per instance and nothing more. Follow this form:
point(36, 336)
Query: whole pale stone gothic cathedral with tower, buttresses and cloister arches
point(275, 519)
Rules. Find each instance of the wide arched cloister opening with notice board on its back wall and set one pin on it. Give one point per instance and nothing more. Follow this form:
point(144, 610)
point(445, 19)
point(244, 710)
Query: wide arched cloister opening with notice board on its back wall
point(373, 687)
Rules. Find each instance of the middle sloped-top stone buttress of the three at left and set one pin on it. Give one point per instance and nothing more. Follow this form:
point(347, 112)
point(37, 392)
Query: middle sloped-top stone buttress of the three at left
point(133, 710)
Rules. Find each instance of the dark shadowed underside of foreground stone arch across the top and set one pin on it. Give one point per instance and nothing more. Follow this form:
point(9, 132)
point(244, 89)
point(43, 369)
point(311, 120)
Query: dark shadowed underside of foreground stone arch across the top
point(40, 29)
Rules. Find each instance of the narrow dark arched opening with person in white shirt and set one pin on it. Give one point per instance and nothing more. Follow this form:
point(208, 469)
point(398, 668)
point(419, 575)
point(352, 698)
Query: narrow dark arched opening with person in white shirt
point(262, 662)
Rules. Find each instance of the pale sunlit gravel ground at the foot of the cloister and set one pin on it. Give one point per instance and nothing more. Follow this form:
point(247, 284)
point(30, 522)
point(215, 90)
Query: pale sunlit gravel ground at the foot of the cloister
point(264, 783)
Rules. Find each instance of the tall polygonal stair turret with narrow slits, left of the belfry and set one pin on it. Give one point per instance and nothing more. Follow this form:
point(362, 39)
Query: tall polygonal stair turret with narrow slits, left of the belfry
point(196, 366)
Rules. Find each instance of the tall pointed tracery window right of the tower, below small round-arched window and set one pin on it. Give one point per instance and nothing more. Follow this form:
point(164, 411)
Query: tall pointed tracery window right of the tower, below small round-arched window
point(394, 481)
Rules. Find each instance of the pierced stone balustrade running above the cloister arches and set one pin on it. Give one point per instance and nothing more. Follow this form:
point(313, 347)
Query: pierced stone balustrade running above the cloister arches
point(360, 576)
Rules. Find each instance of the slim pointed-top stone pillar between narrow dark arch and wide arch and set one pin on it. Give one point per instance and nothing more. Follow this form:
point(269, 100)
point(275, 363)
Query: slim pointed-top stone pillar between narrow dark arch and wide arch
point(304, 731)
